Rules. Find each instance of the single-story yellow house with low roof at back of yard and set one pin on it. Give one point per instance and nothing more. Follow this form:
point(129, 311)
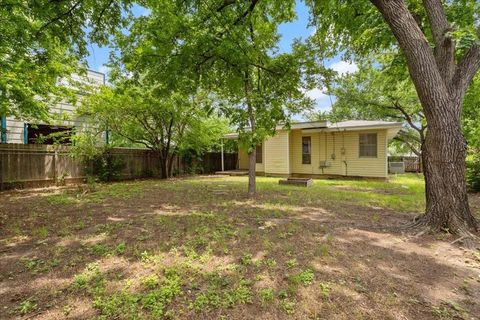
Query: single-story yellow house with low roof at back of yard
point(355, 148)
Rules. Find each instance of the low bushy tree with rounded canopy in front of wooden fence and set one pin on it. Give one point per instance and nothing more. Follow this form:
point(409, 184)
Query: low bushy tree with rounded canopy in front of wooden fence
point(167, 124)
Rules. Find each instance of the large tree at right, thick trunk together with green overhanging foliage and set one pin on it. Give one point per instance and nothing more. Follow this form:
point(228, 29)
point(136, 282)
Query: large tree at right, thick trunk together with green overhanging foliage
point(439, 43)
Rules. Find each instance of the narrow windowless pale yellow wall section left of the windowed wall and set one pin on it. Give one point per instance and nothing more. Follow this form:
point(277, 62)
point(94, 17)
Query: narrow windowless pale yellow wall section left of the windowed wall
point(276, 156)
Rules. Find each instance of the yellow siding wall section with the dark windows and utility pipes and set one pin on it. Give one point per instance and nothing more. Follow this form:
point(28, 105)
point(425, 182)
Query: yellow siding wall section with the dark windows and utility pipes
point(326, 144)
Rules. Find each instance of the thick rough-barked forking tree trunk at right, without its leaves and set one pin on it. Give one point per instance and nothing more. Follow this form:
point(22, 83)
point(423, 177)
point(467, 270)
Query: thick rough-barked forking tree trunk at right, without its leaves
point(441, 85)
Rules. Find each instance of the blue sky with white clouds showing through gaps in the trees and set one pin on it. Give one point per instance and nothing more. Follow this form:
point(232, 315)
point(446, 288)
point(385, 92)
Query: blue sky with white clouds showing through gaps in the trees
point(299, 28)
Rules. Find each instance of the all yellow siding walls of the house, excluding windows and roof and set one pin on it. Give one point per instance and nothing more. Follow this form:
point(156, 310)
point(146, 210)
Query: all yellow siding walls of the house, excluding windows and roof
point(282, 154)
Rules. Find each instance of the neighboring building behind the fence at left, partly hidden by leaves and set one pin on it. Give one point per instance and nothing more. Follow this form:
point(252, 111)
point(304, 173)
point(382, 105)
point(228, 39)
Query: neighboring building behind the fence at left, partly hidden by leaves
point(65, 119)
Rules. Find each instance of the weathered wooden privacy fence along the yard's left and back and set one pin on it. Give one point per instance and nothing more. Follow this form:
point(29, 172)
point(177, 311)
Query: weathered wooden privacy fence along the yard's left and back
point(34, 165)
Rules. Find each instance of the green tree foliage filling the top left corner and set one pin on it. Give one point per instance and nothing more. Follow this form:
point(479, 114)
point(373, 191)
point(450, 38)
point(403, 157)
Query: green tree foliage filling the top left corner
point(42, 41)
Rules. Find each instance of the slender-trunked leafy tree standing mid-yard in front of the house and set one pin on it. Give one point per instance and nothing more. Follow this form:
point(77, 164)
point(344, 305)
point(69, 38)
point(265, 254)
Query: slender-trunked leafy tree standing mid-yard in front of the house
point(227, 48)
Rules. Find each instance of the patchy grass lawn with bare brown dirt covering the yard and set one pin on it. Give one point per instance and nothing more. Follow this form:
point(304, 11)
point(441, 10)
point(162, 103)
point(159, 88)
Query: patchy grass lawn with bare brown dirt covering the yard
point(197, 248)
